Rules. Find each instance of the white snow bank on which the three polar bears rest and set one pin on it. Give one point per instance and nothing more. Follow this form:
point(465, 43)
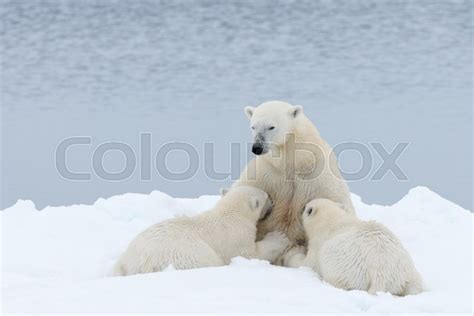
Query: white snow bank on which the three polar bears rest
point(57, 260)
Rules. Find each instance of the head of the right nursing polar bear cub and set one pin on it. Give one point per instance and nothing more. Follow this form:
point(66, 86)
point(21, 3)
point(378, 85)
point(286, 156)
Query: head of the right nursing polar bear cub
point(321, 211)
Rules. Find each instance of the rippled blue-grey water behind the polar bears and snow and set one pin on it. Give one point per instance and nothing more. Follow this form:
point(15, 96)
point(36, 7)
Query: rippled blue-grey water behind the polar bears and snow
point(383, 72)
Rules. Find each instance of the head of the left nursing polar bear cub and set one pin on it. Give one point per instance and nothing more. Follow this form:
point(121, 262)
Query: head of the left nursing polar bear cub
point(250, 201)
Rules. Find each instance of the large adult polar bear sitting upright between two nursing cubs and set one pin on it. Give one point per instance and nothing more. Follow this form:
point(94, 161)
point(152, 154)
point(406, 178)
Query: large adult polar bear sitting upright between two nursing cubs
point(294, 165)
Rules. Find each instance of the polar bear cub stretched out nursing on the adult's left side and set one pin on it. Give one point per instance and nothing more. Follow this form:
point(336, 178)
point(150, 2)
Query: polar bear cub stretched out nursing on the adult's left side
point(206, 240)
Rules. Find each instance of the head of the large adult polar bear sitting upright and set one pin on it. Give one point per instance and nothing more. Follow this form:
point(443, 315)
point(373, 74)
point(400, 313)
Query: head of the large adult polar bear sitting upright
point(270, 122)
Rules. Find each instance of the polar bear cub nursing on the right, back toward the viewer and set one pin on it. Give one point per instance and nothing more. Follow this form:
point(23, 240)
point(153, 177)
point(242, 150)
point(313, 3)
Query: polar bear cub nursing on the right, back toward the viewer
point(353, 254)
